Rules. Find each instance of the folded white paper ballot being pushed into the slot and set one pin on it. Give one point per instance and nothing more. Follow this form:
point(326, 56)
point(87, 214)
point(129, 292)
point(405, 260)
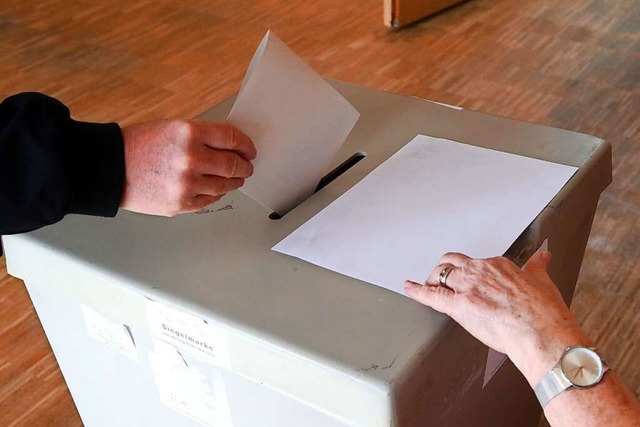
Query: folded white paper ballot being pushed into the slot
point(297, 121)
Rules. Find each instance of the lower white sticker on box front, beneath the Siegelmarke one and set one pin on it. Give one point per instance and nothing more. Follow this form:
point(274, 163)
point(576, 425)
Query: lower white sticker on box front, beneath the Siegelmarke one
point(188, 390)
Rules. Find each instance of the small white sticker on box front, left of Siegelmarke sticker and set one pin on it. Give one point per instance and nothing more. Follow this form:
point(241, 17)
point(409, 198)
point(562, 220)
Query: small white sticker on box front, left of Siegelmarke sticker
point(114, 334)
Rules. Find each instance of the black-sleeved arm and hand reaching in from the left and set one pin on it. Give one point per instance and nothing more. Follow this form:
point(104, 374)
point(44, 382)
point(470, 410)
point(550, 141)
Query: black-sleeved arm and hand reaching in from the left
point(52, 165)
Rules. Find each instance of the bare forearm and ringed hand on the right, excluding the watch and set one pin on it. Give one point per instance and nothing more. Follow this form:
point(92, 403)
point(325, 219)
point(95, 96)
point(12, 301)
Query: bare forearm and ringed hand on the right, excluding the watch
point(521, 313)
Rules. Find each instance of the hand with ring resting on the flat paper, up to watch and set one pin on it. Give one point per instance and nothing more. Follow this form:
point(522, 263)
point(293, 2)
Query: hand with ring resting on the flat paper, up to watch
point(515, 311)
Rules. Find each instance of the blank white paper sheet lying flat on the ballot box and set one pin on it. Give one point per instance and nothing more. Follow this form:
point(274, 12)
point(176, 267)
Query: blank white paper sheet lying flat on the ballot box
point(432, 196)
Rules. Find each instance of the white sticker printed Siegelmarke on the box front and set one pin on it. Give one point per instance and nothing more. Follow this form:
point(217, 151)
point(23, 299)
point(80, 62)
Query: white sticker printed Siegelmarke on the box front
point(189, 333)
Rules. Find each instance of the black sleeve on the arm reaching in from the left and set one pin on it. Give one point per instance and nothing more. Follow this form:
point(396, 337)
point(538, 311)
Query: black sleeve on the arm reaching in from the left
point(52, 165)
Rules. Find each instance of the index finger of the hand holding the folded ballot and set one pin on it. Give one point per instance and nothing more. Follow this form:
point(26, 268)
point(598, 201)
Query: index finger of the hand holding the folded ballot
point(224, 137)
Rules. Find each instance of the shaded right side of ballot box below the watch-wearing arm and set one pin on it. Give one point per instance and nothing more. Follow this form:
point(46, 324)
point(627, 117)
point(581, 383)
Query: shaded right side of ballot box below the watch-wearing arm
point(461, 398)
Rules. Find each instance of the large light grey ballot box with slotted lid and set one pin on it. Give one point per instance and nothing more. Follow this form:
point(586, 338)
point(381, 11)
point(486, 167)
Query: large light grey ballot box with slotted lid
point(193, 320)
